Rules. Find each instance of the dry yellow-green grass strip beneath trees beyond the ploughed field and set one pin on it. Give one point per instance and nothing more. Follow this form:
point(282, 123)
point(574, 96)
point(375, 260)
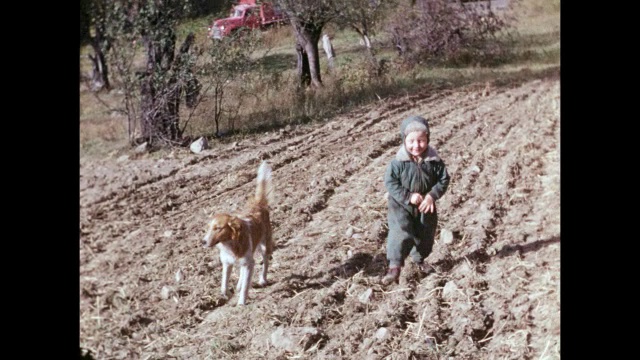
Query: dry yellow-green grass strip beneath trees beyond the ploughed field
point(266, 97)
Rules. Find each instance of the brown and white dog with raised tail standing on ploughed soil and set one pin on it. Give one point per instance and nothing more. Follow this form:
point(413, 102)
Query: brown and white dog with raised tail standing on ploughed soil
point(238, 236)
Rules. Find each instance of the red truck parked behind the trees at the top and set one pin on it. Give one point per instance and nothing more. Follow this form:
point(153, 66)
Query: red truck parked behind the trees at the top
point(247, 14)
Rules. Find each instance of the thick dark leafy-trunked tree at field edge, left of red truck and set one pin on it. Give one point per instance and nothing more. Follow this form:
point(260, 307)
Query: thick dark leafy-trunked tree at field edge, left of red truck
point(153, 94)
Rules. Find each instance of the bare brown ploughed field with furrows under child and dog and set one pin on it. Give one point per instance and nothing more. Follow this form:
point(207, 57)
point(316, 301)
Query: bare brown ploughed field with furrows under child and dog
point(148, 290)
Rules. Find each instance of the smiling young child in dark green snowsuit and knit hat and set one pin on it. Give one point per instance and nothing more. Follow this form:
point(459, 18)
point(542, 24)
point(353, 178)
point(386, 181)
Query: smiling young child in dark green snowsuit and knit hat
point(415, 179)
